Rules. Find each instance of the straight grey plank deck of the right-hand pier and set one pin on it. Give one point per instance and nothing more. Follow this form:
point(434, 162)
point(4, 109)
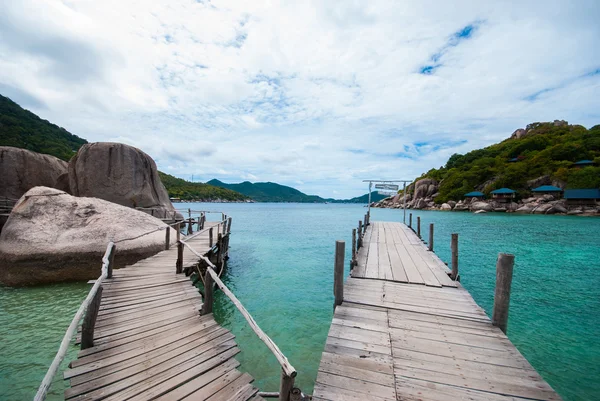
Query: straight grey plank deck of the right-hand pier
point(405, 331)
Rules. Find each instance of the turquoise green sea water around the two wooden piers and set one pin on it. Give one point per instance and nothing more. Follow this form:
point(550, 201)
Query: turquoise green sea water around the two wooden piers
point(281, 269)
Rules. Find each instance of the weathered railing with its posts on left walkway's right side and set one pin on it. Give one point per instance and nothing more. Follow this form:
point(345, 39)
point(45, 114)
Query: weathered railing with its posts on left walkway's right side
point(211, 277)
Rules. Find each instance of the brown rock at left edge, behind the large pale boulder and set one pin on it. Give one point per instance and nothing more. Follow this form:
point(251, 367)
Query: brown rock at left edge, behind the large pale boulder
point(23, 169)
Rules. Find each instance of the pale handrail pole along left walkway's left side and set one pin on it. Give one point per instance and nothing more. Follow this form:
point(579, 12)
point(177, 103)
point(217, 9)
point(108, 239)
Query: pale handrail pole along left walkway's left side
point(64, 345)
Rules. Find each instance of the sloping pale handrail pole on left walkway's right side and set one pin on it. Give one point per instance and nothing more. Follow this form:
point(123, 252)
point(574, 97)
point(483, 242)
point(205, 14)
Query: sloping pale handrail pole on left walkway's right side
point(288, 369)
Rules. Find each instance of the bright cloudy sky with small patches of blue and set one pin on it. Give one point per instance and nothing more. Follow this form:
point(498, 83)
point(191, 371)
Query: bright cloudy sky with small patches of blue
point(318, 95)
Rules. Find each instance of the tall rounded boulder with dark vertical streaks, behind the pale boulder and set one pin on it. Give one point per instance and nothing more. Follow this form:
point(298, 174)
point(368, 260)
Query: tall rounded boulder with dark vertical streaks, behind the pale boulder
point(121, 174)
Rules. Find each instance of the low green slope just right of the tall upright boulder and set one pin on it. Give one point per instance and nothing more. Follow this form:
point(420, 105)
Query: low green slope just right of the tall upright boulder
point(186, 190)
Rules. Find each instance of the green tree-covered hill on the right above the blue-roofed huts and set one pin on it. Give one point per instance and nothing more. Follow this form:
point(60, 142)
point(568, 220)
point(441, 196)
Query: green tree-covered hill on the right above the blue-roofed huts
point(542, 149)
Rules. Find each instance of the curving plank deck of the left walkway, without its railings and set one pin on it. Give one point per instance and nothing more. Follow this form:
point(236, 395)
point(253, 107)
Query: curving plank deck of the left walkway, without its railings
point(150, 341)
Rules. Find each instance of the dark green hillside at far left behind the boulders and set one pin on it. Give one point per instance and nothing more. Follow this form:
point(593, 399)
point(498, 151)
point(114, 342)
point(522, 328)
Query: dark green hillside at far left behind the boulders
point(21, 128)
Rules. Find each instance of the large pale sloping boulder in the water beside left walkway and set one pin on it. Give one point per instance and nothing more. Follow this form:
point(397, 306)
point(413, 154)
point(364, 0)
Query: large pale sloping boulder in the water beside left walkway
point(52, 236)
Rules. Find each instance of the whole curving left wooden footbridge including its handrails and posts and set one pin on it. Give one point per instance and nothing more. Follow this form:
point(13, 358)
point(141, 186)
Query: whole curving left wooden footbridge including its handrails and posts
point(147, 334)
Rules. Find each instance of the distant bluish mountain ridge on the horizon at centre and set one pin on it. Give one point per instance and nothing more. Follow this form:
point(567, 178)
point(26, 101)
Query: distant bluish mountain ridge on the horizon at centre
point(272, 192)
